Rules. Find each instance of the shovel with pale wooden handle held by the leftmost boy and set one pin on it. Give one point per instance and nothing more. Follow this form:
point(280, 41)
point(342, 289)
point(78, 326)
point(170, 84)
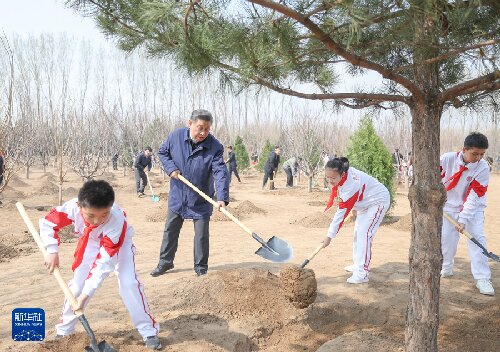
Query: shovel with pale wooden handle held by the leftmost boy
point(102, 346)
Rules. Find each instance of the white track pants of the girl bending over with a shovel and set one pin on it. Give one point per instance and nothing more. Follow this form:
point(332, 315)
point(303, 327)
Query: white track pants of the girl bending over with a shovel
point(367, 223)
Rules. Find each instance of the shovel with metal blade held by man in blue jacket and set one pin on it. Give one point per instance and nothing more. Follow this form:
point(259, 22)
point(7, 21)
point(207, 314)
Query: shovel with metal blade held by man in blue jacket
point(275, 250)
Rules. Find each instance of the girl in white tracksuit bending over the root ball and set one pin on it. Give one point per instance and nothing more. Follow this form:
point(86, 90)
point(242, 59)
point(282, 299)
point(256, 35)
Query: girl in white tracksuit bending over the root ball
point(358, 191)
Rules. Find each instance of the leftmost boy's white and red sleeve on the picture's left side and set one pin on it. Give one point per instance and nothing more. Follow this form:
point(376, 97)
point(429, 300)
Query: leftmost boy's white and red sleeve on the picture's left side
point(51, 224)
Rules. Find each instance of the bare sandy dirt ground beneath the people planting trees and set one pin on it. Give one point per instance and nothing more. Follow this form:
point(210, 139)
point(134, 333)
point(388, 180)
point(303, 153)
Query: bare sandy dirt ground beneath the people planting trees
point(238, 306)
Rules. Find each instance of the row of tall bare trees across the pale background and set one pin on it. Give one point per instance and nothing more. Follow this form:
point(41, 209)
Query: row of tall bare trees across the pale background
point(64, 98)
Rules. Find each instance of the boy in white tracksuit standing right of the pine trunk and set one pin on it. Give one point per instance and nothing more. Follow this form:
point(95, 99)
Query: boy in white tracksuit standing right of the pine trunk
point(465, 175)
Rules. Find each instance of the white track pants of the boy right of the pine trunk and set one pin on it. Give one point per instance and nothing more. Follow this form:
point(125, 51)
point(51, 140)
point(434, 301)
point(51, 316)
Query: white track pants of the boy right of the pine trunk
point(449, 241)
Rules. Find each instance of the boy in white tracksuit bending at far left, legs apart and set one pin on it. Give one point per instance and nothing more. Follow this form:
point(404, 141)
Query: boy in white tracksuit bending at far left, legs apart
point(104, 245)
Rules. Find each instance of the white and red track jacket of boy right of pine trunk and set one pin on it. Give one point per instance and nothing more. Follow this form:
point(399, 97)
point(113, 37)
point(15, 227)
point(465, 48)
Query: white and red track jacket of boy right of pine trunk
point(469, 194)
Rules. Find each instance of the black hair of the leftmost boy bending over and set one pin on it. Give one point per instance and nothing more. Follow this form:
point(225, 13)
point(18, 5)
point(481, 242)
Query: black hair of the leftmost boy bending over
point(96, 194)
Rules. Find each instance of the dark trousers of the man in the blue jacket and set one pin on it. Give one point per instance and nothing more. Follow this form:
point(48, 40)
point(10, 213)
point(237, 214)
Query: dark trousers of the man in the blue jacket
point(170, 241)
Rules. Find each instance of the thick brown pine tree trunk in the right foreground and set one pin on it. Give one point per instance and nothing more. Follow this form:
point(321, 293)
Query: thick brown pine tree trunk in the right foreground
point(427, 197)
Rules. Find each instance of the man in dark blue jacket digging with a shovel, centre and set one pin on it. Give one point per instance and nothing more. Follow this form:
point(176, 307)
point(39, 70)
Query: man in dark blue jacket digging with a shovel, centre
point(197, 155)
